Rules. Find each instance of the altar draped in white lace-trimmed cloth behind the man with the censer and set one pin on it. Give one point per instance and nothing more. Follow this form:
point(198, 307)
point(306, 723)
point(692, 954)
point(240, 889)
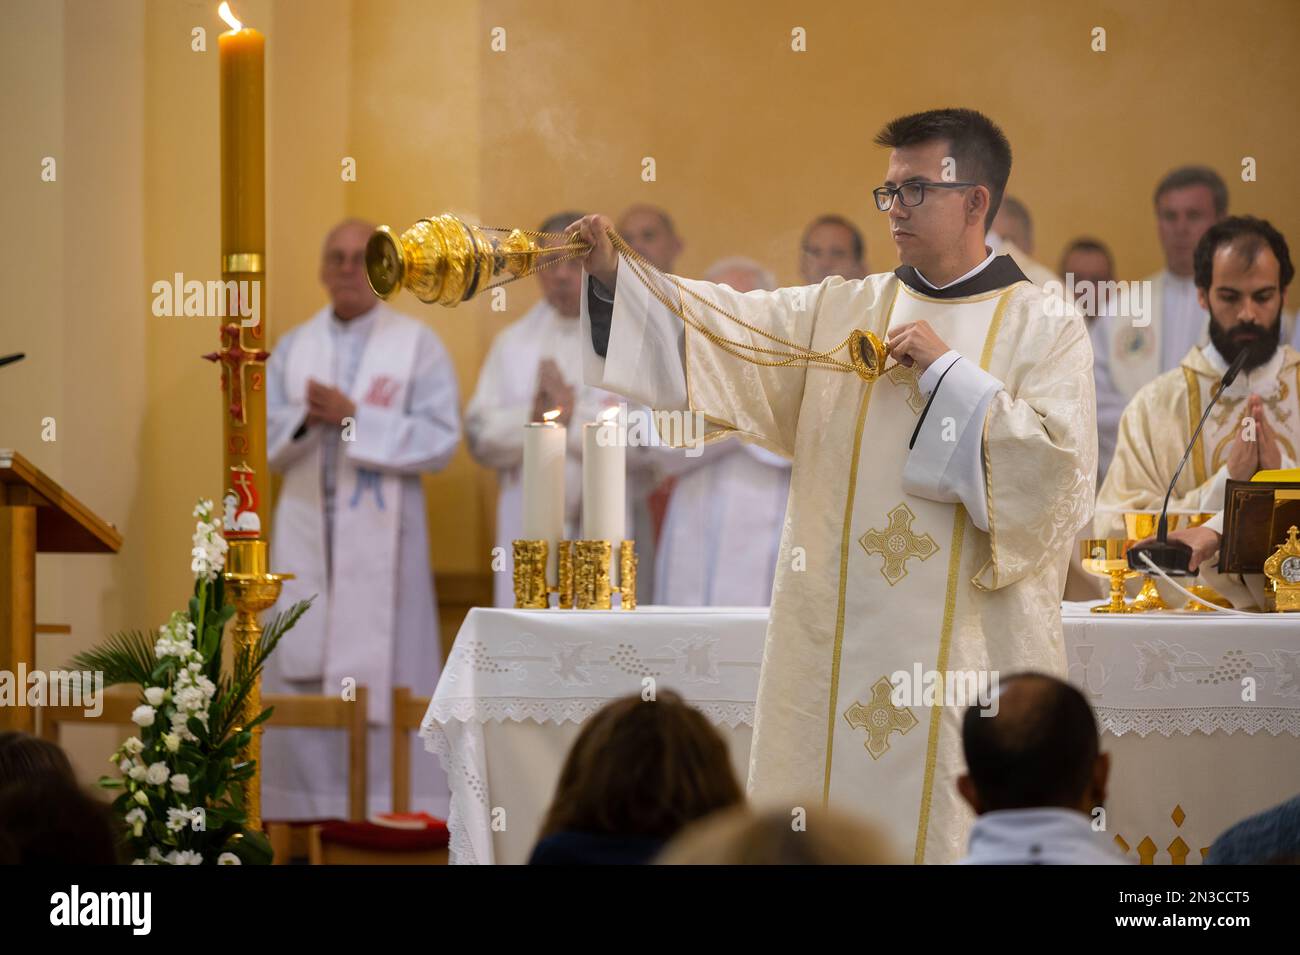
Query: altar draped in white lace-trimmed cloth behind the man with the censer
point(1201, 714)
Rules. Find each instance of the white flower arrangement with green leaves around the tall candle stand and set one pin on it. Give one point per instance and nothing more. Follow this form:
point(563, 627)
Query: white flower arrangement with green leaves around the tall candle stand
point(181, 774)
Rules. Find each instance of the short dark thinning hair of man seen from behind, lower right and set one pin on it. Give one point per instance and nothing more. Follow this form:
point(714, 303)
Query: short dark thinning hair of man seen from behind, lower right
point(1035, 756)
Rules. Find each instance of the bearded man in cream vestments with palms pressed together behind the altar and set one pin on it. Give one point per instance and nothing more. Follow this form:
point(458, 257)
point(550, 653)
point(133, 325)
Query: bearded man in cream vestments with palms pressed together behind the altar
point(1242, 272)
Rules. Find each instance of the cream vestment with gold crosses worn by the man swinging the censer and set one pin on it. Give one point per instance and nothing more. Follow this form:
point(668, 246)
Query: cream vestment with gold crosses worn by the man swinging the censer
point(885, 566)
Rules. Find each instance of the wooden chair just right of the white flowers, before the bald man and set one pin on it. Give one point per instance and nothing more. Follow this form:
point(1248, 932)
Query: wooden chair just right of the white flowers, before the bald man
point(291, 839)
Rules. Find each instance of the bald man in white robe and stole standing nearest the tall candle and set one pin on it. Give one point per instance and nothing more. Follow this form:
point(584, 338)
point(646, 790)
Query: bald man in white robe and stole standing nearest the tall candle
point(361, 402)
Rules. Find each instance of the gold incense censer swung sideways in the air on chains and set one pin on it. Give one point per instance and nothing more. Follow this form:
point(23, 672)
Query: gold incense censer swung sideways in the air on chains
point(447, 261)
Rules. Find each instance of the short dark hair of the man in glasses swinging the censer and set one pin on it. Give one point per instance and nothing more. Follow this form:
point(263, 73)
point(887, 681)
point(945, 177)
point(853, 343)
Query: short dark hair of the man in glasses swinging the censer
point(981, 149)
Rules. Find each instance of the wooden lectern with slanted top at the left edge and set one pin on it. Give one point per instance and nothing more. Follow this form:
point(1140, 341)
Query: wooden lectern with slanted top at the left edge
point(36, 515)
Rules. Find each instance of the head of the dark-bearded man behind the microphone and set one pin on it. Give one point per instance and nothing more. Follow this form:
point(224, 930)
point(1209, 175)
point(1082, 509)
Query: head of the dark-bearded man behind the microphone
point(1242, 268)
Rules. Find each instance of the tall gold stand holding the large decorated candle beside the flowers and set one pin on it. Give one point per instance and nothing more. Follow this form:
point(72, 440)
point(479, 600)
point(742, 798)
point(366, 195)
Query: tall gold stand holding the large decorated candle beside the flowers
point(253, 591)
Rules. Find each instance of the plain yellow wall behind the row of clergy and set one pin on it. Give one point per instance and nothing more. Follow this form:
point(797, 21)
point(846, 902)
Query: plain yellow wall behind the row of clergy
point(751, 141)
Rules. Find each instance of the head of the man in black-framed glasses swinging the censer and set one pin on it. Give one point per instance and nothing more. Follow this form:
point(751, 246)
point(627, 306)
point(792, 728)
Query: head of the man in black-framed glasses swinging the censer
point(948, 170)
